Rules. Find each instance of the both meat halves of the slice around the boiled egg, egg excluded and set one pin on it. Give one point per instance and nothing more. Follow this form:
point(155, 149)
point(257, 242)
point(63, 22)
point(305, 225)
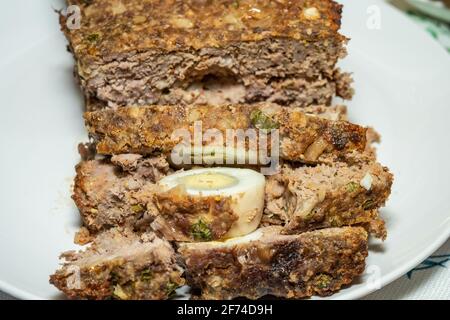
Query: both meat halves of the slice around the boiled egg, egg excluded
point(300, 199)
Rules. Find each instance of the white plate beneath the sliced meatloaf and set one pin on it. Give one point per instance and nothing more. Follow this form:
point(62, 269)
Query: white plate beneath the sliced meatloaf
point(402, 80)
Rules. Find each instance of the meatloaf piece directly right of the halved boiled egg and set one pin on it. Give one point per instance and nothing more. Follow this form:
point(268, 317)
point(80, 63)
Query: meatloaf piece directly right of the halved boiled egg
point(307, 198)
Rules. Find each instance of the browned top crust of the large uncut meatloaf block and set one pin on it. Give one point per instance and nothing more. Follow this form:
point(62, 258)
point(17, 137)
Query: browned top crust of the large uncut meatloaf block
point(174, 25)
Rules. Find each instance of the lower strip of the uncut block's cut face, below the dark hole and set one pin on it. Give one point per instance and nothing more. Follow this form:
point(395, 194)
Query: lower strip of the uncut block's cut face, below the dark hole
point(214, 90)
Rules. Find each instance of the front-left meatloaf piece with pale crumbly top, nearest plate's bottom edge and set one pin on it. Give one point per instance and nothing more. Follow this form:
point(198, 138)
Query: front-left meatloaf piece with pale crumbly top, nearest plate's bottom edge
point(120, 265)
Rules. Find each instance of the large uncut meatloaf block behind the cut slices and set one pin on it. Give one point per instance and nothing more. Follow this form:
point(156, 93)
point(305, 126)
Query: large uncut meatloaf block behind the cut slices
point(139, 52)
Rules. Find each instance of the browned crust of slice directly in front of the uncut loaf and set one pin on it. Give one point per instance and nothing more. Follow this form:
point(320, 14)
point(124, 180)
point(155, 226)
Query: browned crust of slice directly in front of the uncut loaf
point(148, 130)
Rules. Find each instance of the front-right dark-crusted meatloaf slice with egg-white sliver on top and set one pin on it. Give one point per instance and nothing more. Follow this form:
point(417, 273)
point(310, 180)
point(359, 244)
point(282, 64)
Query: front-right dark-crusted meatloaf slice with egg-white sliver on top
point(267, 262)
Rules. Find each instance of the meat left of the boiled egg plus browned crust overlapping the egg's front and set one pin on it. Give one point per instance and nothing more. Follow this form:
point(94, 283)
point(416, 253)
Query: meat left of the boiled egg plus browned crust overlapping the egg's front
point(122, 192)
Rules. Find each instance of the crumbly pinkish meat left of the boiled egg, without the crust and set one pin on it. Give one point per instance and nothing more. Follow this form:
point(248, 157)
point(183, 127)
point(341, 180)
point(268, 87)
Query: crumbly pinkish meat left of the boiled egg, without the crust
point(112, 195)
